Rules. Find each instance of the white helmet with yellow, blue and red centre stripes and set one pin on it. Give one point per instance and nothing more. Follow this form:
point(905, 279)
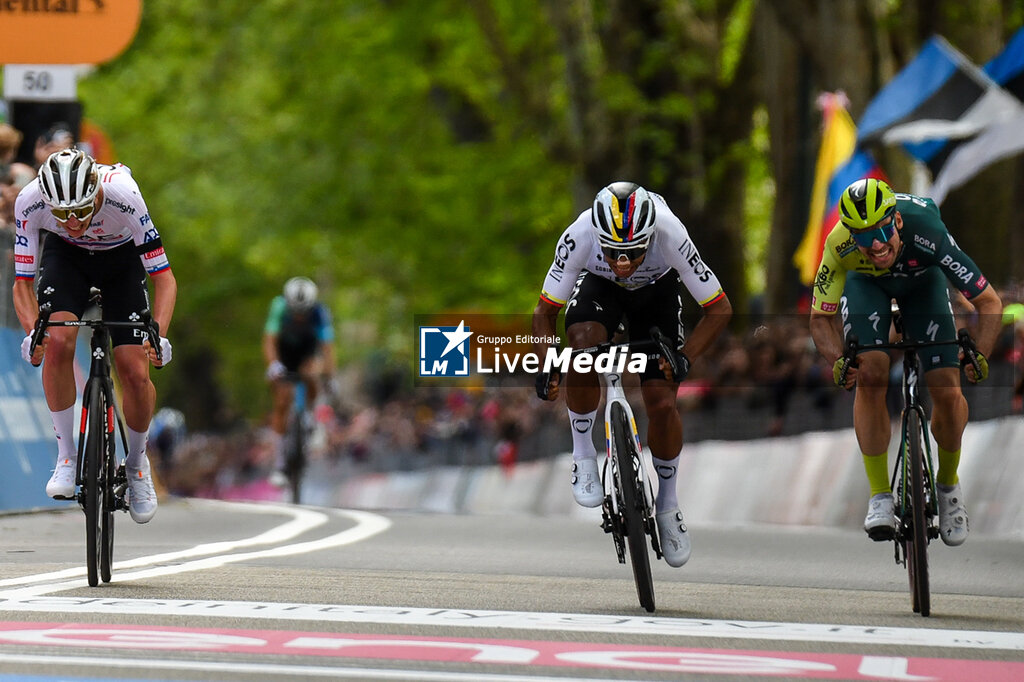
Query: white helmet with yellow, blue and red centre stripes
point(624, 217)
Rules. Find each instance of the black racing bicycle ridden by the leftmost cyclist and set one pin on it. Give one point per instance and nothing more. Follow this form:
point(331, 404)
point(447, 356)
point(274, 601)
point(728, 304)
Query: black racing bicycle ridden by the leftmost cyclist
point(101, 481)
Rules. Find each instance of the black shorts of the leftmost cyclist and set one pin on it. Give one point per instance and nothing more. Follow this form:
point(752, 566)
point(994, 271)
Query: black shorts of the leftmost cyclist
point(67, 273)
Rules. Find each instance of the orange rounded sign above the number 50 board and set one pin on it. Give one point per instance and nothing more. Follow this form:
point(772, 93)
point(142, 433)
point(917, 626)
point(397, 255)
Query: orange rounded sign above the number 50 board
point(66, 31)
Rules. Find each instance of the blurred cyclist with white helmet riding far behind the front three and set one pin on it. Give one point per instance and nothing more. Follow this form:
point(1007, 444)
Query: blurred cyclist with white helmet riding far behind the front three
point(298, 340)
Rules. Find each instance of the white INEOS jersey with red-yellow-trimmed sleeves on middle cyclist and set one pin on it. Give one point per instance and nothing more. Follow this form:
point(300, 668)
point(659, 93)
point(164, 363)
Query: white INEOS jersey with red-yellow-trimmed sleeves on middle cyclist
point(670, 248)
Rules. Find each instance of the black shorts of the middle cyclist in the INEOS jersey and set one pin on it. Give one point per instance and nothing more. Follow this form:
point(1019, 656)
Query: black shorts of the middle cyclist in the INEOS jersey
point(658, 305)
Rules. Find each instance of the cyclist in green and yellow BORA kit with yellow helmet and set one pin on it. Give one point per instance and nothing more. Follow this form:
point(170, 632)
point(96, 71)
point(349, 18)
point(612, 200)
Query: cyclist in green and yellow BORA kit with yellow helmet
point(887, 247)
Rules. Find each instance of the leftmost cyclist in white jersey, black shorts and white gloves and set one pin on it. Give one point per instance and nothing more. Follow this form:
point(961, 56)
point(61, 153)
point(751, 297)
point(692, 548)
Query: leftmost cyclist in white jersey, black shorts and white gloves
point(100, 235)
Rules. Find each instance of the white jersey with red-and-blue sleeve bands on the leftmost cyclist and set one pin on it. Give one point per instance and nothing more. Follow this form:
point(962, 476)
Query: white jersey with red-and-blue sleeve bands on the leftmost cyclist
point(121, 220)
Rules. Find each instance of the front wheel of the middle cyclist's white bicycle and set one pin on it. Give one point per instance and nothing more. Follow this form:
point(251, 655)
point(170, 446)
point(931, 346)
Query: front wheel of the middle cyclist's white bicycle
point(628, 482)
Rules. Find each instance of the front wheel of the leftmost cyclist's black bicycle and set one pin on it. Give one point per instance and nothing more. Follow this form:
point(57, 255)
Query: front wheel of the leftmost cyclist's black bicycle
point(95, 453)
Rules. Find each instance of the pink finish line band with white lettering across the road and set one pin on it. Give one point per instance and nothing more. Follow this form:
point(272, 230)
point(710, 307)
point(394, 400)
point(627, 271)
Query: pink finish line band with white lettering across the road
point(340, 649)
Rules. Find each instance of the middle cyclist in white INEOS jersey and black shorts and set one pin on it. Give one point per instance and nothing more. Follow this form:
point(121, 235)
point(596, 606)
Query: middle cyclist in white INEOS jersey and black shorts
point(624, 261)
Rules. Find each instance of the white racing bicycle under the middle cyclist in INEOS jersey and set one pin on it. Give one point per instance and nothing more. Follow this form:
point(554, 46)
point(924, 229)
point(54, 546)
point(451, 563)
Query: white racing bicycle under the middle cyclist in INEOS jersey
point(628, 510)
